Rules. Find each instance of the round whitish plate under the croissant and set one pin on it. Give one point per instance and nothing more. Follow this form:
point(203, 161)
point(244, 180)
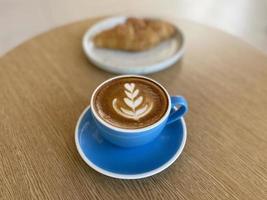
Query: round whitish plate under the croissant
point(123, 62)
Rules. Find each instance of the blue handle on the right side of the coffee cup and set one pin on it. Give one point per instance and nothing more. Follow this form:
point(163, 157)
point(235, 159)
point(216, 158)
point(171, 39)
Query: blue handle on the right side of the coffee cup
point(179, 107)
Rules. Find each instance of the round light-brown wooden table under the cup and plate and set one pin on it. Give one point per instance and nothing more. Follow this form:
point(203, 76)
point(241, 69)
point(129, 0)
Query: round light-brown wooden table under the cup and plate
point(46, 82)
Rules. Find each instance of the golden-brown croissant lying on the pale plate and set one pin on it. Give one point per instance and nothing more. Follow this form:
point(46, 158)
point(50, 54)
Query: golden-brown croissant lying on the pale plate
point(135, 35)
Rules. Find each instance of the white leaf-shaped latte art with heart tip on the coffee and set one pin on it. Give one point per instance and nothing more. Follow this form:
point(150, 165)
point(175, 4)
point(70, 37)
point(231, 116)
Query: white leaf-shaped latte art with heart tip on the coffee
point(133, 102)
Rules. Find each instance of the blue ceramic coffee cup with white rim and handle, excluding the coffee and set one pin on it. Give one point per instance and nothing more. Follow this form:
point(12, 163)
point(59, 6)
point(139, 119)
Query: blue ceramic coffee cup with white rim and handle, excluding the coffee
point(177, 107)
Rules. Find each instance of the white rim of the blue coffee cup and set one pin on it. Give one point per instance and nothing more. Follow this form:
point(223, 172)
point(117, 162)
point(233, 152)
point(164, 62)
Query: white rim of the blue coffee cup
point(99, 119)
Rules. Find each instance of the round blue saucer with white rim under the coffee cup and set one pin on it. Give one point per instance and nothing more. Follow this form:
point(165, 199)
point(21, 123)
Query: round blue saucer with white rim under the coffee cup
point(128, 163)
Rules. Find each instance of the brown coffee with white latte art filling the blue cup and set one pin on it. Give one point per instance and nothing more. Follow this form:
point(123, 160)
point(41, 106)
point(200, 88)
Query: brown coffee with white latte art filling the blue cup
point(130, 102)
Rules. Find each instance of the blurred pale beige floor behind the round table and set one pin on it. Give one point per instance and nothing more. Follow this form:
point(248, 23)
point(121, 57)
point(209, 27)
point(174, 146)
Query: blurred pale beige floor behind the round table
point(23, 19)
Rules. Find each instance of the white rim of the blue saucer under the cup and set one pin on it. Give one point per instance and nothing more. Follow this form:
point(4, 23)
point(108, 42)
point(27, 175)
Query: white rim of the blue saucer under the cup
point(127, 176)
